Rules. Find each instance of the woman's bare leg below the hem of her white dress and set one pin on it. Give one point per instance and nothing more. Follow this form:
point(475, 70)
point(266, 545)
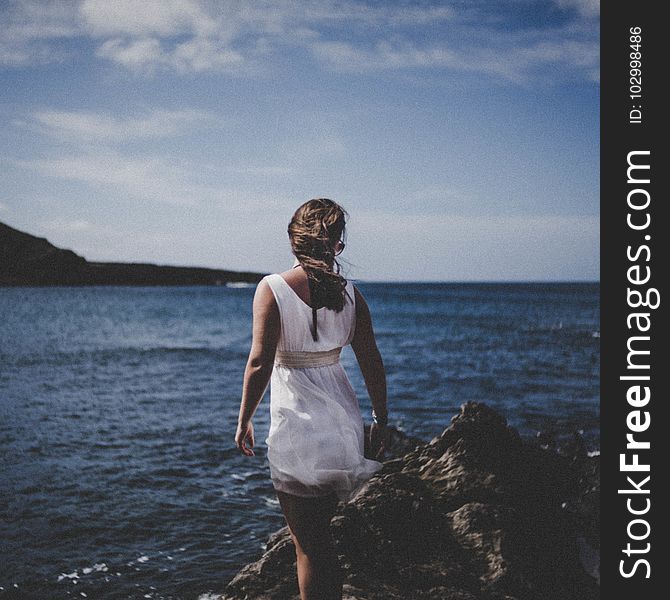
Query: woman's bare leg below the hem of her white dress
point(309, 522)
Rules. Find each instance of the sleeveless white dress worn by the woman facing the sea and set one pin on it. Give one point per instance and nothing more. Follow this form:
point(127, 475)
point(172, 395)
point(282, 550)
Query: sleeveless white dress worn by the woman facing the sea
point(315, 442)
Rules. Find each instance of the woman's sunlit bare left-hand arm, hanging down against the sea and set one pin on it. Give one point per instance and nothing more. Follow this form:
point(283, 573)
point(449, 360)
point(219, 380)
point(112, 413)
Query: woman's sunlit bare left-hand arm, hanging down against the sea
point(265, 335)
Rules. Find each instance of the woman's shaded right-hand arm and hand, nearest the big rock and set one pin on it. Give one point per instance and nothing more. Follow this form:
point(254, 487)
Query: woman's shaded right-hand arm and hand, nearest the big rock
point(370, 361)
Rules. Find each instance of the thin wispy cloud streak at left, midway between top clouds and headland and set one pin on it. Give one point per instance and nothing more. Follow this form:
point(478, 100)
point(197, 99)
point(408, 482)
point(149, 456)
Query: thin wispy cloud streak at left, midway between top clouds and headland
point(102, 127)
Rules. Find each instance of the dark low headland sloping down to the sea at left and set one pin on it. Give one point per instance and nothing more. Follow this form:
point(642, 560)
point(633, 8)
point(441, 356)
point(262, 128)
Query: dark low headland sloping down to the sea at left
point(27, 260)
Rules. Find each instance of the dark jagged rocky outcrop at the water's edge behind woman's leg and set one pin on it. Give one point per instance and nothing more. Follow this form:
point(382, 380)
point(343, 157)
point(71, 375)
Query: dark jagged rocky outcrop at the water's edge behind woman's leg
point(476, 513)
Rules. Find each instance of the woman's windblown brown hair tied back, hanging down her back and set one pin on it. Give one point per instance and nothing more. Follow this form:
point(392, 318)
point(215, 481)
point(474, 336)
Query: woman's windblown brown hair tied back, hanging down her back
point(314, 230)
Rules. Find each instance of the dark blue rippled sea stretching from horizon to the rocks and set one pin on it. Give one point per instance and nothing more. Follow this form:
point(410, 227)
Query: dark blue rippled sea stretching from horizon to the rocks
point(119, 476)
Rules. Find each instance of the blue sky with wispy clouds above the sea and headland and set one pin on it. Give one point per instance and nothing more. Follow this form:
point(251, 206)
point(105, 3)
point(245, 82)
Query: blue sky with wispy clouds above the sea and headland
point(462, 137)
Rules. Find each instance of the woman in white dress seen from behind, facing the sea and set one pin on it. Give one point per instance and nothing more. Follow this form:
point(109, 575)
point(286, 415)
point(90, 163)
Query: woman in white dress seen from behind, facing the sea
point(301, 319)
